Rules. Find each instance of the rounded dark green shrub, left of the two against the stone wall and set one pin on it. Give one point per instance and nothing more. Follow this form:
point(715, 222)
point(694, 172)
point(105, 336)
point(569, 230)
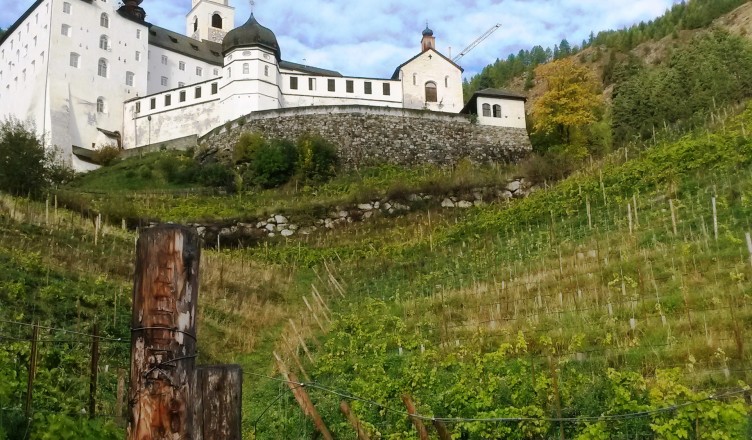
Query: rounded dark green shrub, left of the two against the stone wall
point(273, 164)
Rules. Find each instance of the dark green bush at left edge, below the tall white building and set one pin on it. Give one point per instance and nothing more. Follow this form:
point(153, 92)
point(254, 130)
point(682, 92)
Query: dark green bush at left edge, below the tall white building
point(25, 166)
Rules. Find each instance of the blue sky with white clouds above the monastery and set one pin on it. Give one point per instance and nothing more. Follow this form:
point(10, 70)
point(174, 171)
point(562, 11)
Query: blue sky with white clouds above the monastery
point(370, 38)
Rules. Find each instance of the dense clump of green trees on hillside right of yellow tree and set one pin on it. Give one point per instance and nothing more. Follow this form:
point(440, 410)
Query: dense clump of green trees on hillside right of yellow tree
point(697, 78)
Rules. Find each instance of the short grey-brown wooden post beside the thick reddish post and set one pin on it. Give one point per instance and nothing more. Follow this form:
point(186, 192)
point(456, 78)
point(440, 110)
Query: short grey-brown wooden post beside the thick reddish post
point(217, 402)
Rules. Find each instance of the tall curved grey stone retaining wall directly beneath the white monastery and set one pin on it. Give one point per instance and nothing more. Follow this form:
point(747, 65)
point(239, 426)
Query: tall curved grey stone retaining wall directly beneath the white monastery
point(368, 135)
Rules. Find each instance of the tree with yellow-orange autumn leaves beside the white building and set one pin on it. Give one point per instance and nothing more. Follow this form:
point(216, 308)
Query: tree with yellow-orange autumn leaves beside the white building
point(572, 101)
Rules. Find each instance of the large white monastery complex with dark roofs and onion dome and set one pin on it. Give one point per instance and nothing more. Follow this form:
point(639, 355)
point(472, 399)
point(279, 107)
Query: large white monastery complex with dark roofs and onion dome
point(89, 73)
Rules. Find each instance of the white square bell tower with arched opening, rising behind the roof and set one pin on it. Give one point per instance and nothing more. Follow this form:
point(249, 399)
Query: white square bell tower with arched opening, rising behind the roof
point(209, 20)
